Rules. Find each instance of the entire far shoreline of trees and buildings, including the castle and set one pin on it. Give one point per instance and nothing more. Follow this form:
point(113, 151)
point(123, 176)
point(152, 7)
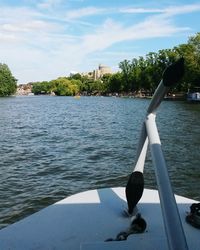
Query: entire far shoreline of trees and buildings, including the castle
point(136, 78)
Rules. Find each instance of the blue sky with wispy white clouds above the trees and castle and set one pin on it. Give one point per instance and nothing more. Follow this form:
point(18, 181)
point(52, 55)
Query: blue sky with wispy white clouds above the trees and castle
point(42, 40)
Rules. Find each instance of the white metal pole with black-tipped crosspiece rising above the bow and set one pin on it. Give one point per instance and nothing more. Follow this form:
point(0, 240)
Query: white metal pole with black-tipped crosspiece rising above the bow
point(150, 136)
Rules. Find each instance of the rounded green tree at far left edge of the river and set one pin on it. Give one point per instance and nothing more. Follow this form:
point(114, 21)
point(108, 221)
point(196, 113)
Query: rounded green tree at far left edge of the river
point(8, 83)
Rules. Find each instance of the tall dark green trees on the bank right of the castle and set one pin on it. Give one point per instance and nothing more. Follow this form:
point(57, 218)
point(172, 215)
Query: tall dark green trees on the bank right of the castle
point(146, 72)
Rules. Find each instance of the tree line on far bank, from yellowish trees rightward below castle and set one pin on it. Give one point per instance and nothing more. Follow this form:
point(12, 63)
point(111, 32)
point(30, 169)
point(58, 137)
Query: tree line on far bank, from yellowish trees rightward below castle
point(143, 73)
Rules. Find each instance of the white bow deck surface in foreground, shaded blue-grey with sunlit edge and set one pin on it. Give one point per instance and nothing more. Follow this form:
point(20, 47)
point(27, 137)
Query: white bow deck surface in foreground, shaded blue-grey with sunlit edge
point(86, 220)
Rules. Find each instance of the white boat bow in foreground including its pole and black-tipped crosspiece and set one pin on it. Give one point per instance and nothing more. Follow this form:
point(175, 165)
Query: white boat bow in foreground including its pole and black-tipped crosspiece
point(118, 218)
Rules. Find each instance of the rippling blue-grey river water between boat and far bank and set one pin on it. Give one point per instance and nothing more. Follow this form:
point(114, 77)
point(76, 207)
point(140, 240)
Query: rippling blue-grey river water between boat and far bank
point(52, 147)
